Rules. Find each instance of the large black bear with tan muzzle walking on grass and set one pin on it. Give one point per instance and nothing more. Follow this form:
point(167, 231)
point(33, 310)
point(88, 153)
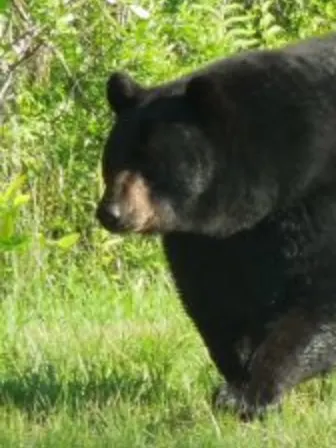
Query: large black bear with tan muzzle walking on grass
point(235, 166)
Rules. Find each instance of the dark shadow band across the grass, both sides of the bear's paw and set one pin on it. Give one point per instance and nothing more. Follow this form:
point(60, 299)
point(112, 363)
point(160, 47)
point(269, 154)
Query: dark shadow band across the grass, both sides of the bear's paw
point(45, 390)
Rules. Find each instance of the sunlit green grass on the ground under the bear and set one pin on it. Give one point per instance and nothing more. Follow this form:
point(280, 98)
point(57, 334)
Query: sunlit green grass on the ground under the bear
point(90, 362)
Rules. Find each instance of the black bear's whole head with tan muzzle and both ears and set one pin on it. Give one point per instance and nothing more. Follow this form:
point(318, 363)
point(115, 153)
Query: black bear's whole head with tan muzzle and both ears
point(172, 161)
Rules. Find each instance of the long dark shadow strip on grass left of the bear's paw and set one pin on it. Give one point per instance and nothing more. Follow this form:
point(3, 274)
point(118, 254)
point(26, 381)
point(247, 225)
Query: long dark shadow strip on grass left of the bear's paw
point(44, 391)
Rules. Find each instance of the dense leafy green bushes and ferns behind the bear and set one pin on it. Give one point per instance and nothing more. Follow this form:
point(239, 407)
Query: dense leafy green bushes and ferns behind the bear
point(56, 58)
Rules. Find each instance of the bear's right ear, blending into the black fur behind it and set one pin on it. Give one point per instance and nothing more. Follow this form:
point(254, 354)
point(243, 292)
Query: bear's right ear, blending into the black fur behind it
point(206, 94)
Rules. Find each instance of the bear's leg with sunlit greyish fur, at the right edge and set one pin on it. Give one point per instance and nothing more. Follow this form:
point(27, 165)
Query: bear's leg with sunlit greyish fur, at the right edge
point(301, 345)
